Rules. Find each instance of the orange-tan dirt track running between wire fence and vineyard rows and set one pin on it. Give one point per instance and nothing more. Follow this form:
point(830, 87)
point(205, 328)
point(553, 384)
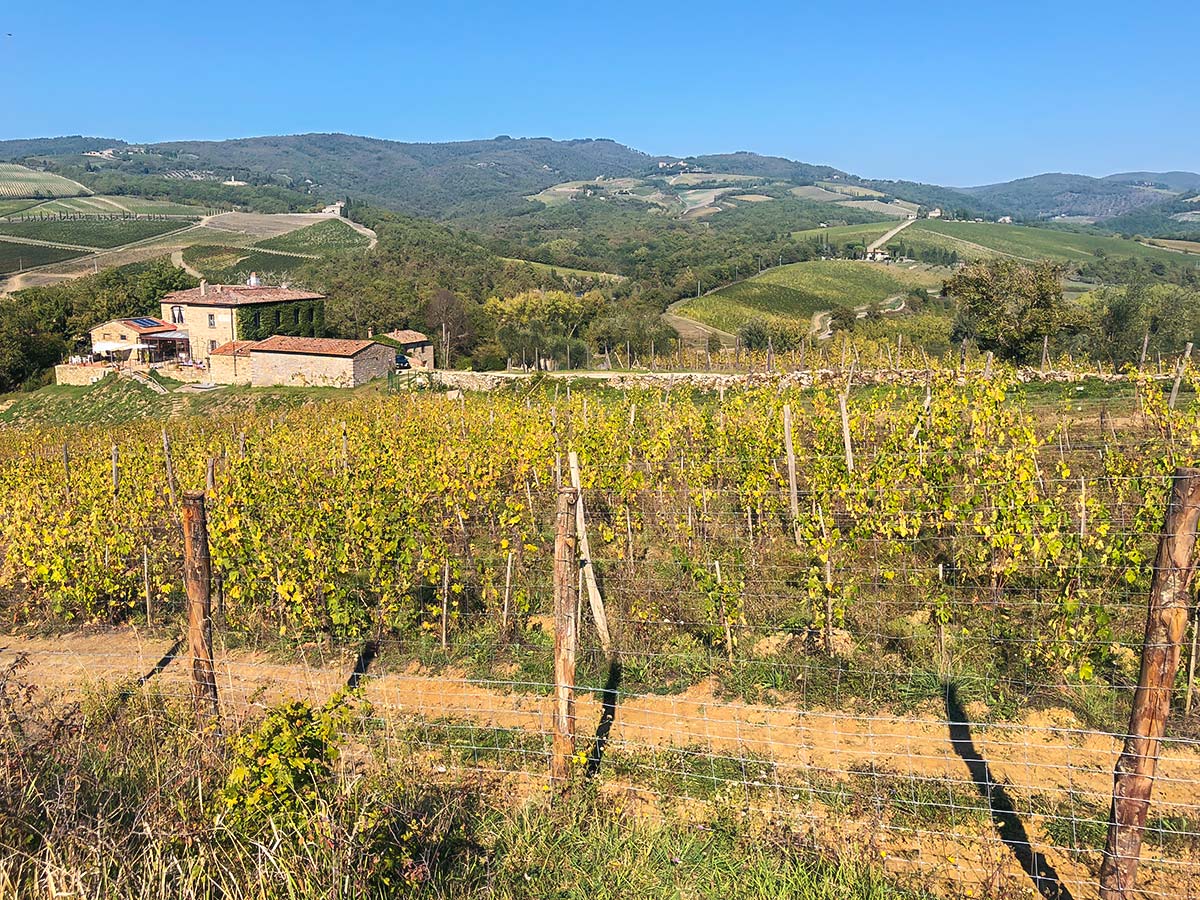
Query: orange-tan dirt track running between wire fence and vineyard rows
point(1047, 753)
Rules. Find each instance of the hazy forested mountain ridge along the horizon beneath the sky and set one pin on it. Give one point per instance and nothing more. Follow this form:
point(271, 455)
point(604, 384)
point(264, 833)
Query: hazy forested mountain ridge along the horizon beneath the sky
point(472, 178)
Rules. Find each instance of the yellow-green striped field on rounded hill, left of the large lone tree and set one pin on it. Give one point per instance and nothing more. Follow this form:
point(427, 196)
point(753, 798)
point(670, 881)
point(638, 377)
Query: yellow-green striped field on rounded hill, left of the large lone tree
point(794, 293)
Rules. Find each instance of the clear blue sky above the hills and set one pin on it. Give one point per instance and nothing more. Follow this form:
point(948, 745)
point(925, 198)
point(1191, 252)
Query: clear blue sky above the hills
point(957, 94)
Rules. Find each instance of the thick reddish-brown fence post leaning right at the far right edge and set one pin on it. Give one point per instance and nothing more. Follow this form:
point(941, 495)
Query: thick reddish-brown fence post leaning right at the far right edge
point(1167, 621)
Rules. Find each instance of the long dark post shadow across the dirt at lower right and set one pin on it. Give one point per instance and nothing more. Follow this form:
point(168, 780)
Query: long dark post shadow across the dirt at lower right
point(1004, 814)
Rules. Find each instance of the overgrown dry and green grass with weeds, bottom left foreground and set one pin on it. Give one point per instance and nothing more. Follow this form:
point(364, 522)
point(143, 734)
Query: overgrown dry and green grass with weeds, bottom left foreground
point(123, 797)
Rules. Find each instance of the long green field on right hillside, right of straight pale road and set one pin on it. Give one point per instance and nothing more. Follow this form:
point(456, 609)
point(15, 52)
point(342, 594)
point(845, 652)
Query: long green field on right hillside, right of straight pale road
point(985, 239)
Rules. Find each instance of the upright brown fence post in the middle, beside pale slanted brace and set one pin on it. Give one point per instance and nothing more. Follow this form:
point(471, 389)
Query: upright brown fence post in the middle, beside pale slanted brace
point(567, 635)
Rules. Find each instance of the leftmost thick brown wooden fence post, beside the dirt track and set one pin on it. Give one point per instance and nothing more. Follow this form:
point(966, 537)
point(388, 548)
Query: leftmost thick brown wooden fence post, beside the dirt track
point(199, 583)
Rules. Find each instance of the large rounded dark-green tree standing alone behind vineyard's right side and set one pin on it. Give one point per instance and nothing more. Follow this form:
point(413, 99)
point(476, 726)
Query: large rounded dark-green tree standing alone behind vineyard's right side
point(1009, 307)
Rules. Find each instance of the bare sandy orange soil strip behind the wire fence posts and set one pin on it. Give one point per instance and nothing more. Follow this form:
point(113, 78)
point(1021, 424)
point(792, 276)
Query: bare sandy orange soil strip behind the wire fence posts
point(1048, 757)
